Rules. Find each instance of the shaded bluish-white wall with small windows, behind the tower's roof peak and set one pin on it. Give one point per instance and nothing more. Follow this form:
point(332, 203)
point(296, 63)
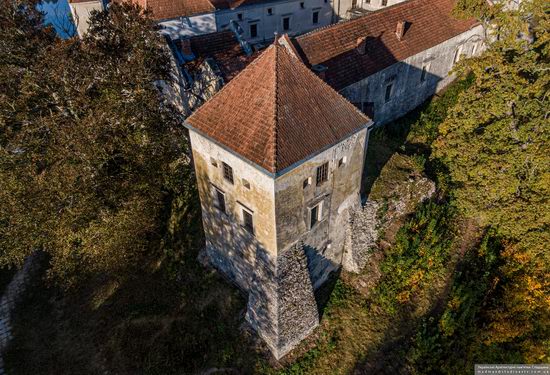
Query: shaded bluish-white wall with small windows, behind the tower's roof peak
point(301, 20)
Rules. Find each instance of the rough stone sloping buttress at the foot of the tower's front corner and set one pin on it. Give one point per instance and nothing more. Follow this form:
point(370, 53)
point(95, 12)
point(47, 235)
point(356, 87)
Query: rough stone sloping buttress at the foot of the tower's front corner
point(281, 306)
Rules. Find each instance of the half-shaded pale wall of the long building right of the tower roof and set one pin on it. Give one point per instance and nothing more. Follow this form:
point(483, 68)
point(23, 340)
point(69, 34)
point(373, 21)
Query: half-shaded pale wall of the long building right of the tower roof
point(408, 90)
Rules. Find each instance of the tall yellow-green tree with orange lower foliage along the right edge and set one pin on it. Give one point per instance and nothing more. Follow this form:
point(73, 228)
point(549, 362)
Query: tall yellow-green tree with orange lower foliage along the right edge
point(495, 144)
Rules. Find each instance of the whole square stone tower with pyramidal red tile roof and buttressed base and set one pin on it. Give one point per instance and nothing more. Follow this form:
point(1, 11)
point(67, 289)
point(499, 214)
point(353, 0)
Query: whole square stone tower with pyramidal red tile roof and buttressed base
point(278, 157)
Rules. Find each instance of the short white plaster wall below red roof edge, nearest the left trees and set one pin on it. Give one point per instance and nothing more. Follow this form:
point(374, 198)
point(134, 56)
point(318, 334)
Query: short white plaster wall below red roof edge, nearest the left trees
point(189, 26)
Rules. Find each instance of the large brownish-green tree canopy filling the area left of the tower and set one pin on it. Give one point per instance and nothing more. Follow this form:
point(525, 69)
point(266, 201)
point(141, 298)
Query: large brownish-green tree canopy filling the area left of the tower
point(88, 148)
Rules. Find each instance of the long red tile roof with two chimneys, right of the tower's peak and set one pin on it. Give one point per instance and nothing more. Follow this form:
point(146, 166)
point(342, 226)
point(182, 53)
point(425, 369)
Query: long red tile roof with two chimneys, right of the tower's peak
point(430, 23)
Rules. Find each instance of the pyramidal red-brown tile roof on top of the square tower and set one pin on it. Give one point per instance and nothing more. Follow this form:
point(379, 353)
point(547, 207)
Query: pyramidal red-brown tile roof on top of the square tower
point(277, 112)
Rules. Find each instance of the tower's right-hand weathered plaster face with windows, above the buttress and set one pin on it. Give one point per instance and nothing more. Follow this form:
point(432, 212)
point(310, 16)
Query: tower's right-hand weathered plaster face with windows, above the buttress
point(324, 243)
